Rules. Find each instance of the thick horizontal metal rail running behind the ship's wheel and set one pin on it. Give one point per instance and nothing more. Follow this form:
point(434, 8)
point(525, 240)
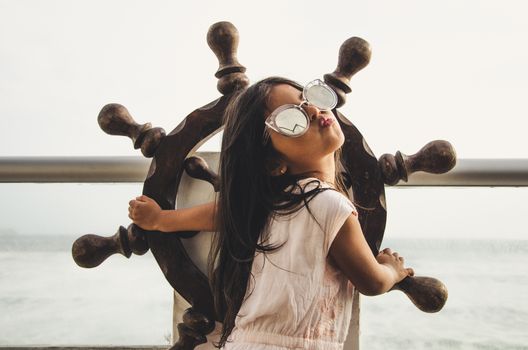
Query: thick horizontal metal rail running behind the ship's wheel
point(467, 172)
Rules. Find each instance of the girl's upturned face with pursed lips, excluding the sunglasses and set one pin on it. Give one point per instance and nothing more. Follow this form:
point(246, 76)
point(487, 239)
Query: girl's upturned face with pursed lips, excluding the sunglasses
point(323, 138)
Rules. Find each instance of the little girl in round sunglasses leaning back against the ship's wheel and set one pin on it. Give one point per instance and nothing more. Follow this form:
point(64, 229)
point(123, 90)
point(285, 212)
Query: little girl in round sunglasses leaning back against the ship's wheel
point(288, 249)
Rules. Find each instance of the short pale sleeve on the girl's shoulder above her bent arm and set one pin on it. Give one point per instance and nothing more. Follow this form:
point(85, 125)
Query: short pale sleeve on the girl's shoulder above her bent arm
point(331, 209)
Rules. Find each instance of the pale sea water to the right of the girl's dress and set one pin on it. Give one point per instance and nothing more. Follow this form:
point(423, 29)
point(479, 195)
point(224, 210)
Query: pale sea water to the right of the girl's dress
point(487, 307)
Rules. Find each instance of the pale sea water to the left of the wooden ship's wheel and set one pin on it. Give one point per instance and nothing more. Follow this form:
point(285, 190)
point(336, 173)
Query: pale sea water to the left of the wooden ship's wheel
point(46, 299)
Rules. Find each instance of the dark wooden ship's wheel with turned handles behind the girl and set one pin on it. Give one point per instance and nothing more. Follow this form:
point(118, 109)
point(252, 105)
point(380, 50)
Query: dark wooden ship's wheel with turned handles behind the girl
point(172, 154)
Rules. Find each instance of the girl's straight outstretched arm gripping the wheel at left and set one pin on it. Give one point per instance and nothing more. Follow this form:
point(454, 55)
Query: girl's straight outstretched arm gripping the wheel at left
point(148, 215)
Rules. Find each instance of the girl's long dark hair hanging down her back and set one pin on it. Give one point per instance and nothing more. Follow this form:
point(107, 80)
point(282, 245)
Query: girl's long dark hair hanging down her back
point(248, 195)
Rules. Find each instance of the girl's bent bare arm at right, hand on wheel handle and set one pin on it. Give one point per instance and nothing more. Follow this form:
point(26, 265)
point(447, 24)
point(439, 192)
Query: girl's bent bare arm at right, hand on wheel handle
point(370, 275)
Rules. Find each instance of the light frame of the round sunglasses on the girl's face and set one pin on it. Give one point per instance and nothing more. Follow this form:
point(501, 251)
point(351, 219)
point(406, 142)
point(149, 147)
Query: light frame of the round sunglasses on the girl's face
point(270, 120)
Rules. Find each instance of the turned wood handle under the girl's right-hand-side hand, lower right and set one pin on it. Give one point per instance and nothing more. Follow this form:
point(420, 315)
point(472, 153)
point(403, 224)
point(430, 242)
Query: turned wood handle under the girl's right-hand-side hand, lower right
point(427, 293)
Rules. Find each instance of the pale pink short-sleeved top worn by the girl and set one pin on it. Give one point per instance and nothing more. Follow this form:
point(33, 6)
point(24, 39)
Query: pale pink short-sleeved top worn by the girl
point(298, 298)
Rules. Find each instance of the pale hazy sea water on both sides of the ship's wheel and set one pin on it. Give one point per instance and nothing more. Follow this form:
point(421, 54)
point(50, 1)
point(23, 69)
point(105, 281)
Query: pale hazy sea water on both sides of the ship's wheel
point(45, 299)
